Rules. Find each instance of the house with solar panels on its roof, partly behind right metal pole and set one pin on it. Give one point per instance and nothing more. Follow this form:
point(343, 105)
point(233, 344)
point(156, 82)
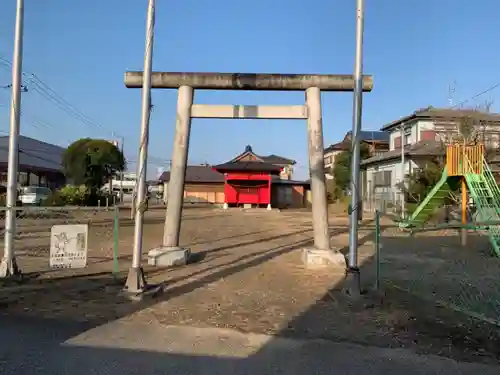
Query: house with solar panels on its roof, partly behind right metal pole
point(377, 141)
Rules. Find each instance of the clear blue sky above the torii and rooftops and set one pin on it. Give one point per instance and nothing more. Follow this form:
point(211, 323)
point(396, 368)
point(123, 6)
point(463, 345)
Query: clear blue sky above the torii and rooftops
point(414, 48)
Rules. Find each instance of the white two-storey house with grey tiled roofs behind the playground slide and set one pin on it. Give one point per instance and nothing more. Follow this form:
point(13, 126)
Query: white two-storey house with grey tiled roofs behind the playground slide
point(423, 134)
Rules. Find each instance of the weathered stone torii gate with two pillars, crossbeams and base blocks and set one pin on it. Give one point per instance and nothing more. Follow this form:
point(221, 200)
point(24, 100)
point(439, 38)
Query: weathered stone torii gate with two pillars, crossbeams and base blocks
point(170, 253)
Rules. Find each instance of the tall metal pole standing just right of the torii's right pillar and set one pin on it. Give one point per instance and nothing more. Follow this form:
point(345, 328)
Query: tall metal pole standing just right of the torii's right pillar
point(353, 270)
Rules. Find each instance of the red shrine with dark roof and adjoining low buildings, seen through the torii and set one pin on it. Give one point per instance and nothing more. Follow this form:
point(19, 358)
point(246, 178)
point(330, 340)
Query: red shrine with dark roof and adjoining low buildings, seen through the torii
point(248, 180)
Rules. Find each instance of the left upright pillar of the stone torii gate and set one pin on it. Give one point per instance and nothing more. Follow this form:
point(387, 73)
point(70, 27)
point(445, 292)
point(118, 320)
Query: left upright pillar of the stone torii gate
point(175, 192)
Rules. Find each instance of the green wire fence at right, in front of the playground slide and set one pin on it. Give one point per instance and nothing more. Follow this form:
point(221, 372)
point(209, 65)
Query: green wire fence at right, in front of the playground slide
point(434, 264)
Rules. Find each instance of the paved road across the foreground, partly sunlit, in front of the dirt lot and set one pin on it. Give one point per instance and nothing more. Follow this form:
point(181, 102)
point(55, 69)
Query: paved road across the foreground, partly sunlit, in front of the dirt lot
point(122, 348)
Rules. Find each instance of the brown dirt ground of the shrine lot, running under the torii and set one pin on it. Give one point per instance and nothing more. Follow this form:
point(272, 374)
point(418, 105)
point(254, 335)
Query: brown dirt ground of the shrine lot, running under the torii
point(246, 274)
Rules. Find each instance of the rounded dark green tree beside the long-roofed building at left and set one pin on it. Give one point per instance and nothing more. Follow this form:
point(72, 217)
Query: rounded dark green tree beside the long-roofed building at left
point(92, 162)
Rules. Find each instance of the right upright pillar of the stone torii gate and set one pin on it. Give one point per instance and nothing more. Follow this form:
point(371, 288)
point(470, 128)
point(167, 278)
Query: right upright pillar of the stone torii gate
point(317, 168)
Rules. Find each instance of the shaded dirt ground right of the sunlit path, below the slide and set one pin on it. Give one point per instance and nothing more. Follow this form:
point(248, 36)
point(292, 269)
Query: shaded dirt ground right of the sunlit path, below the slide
point(434, 298)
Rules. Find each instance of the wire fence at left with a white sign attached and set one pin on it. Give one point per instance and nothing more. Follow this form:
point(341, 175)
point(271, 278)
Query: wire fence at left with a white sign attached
point(65, 241)
